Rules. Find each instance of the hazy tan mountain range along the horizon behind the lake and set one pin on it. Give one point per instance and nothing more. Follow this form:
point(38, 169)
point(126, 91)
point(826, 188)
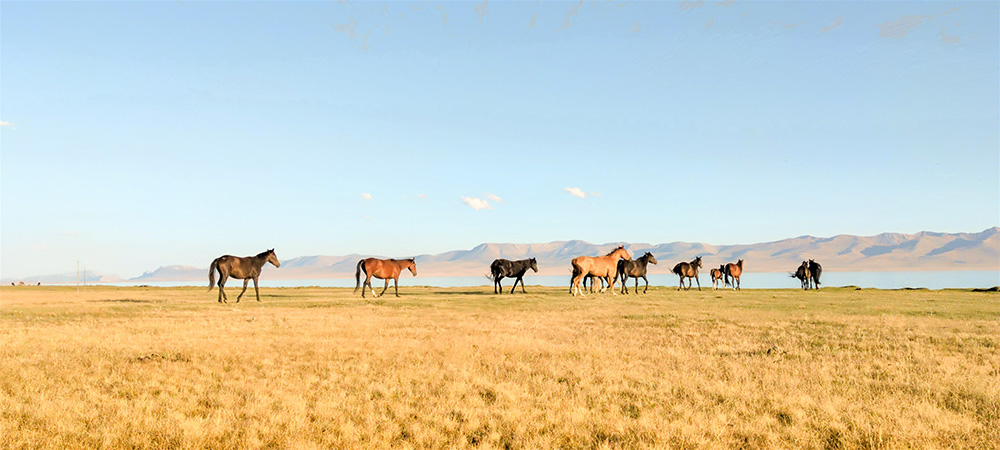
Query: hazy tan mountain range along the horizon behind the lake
point(883, 252)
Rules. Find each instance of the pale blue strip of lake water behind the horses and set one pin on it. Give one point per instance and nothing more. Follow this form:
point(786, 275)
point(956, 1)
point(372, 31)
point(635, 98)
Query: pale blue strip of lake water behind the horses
point(878, 280)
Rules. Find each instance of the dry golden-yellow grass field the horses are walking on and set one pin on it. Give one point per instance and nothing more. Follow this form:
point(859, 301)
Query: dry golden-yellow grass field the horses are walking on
point(463, 368)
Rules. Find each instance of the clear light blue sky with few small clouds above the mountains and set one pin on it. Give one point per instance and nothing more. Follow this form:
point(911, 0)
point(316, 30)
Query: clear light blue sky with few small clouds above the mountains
point(136, 135)
